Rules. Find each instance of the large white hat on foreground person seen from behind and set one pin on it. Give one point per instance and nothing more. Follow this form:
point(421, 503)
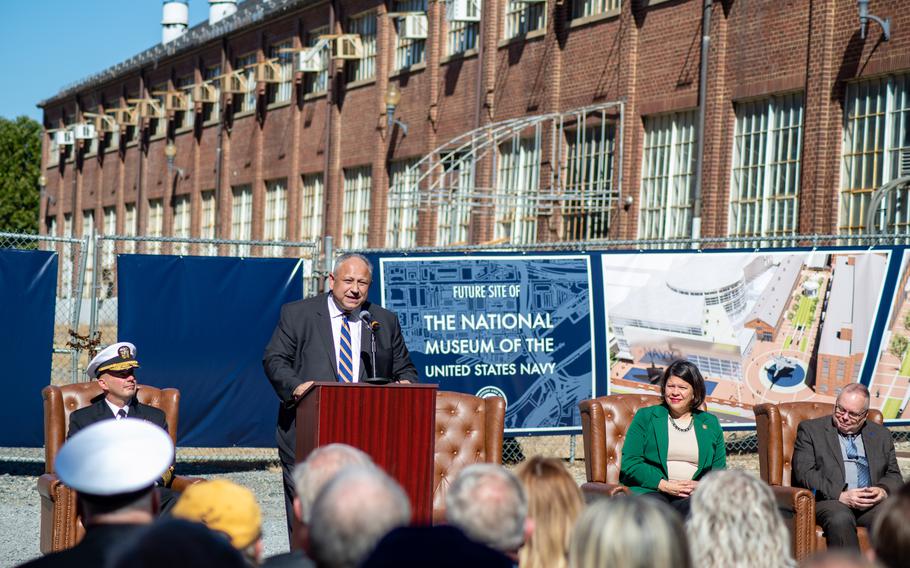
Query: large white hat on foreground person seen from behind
point(112, 457)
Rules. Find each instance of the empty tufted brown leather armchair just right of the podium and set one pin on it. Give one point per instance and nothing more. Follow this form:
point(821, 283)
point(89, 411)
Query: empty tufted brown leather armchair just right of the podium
point(468, 430)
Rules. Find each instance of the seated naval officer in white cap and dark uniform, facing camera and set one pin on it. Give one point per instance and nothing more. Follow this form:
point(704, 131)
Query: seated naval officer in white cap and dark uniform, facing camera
point(114, 369)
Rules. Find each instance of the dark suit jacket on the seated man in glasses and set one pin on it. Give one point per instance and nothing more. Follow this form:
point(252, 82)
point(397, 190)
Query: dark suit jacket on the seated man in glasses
point(818, 463)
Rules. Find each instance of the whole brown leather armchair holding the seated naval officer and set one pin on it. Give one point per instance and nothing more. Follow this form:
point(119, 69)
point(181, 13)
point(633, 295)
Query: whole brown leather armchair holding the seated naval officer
point(60, 525)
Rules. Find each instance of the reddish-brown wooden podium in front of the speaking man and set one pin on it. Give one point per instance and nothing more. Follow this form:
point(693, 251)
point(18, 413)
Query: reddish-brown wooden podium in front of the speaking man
point(395, 424)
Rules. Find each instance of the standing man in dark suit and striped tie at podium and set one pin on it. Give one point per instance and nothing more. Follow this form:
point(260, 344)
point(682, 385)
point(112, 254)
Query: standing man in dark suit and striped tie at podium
point(329, 337)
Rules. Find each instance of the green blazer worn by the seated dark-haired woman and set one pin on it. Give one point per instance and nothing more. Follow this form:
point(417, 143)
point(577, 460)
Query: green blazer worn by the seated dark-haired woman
point(644, 452)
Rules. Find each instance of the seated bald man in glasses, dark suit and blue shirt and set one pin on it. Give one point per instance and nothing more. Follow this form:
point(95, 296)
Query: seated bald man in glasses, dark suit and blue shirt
point(848, 463)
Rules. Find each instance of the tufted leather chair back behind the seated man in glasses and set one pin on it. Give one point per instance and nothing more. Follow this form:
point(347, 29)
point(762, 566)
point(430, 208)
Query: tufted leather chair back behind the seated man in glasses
point(776, 424)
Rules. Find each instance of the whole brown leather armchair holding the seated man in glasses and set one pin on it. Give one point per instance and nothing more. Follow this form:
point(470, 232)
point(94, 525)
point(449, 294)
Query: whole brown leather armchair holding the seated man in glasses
point(775, 425)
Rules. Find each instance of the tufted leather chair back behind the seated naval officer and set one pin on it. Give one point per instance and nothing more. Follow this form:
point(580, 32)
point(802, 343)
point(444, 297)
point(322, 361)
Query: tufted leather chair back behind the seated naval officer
point(60, 402)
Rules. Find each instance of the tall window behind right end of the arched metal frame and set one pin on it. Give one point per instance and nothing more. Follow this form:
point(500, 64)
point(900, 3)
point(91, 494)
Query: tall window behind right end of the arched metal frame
point(589, 182)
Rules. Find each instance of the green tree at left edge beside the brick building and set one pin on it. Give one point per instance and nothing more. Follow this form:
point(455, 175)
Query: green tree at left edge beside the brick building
point(20, 166)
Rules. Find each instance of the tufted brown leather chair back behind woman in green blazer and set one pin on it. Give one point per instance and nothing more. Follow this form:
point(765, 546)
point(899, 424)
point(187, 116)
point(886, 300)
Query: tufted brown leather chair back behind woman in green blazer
point(604, 422)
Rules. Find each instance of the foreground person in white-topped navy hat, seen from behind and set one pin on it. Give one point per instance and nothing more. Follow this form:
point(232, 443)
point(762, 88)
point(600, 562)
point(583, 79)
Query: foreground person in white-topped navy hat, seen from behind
point(112, 466)
